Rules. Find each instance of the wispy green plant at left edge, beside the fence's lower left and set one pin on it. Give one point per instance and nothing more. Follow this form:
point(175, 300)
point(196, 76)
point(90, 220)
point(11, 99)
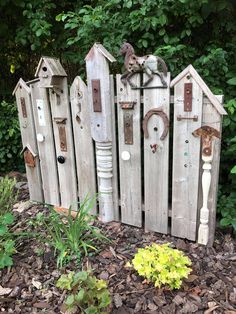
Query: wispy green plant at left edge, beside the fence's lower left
point(7, 194)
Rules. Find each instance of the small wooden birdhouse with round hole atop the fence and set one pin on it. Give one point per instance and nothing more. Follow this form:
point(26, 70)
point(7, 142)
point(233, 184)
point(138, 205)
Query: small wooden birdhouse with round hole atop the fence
point(50, 72)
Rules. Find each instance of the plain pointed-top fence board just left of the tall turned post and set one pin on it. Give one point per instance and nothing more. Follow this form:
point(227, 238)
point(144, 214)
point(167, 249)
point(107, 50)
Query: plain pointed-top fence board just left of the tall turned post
point(84, 150)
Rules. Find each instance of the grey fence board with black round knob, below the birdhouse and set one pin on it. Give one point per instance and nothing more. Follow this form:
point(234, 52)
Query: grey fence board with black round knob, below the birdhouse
point(64, 144)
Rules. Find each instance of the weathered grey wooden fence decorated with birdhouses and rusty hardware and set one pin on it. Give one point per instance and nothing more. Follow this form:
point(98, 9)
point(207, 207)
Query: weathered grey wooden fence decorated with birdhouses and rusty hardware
point(152, 156)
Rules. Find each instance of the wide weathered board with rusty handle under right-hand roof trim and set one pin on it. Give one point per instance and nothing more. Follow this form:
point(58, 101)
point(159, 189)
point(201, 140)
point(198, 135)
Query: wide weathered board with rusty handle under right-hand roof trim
point(186, 160)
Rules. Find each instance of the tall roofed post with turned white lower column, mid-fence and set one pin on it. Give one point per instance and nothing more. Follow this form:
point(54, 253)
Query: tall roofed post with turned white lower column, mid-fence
point(99, 97)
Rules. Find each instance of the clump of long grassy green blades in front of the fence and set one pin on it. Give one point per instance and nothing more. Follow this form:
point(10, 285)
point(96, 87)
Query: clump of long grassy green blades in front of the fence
point(71, 237)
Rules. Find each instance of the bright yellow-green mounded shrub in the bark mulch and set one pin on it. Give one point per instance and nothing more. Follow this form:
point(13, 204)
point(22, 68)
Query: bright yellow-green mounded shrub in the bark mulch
point(162, 265)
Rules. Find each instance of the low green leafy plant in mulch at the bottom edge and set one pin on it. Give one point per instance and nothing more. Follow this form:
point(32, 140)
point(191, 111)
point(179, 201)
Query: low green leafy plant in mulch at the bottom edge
point(88, 294)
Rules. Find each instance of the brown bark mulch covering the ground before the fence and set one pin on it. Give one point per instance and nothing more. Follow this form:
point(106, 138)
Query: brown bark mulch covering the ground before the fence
point(210, 288)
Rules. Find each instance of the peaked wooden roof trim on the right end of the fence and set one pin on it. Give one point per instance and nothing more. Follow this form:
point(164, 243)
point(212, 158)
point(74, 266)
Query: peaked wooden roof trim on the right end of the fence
point(206, 90)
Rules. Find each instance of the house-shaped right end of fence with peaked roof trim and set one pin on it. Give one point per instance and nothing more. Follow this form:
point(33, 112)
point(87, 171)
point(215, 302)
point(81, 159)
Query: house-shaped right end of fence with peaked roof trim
point(195, 106)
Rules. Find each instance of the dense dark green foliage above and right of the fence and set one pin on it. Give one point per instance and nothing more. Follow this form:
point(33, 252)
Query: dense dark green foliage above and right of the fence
point(181, 31)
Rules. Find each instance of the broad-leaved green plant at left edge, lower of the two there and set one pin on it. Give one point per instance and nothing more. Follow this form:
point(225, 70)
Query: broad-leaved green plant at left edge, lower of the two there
point(7, 244)
